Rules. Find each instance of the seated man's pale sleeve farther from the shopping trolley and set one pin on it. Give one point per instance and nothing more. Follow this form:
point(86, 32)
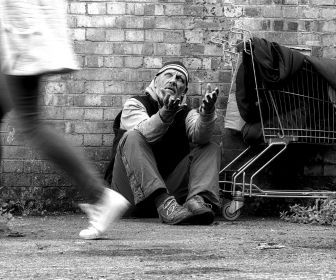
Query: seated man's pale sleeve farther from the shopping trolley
point(134, 116)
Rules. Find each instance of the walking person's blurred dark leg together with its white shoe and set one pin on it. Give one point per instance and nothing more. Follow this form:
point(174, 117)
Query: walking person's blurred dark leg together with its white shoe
point(106, 205)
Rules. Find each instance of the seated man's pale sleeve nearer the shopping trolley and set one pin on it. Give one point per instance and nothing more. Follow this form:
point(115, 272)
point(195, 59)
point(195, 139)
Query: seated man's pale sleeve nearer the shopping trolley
point(200, 126)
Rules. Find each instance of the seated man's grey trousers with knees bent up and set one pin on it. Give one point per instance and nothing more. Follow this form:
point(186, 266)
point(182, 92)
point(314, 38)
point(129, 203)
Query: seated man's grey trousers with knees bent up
point(136, 175)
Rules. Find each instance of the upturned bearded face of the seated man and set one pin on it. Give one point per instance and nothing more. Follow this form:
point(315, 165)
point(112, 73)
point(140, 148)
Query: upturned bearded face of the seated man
point(173, 82)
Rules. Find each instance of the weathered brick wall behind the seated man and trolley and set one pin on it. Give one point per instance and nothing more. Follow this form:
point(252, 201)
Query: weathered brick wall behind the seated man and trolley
point(121, 44)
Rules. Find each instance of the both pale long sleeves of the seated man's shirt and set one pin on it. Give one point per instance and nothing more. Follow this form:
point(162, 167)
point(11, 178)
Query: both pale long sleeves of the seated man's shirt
point(199, 126)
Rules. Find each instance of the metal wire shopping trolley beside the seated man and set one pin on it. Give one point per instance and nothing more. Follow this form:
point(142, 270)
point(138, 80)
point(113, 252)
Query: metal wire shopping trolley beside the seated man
point(300, 109)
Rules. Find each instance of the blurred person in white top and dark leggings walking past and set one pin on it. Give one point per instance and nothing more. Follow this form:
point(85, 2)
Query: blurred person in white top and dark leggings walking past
point(35, 42)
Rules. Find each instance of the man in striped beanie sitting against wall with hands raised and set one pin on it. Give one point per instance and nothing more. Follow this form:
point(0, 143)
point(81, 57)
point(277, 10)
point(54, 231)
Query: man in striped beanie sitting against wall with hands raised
point(164, 156)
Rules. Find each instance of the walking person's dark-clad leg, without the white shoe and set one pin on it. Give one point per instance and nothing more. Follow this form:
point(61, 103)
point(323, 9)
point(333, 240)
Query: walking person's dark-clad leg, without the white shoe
point(24, 91)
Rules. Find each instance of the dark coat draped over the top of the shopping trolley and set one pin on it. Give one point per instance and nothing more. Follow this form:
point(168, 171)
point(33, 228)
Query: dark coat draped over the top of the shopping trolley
point(274, 66)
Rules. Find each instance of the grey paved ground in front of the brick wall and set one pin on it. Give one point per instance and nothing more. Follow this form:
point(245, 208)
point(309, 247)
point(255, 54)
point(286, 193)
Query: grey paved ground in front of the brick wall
point(248, 248)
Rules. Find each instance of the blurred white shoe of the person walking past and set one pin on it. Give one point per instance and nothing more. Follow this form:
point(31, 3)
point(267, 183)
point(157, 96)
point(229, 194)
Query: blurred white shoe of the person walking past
point(106, 211)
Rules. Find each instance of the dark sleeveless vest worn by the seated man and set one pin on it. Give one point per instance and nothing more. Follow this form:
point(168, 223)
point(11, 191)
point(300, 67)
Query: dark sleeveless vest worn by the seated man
point(168, 150)
